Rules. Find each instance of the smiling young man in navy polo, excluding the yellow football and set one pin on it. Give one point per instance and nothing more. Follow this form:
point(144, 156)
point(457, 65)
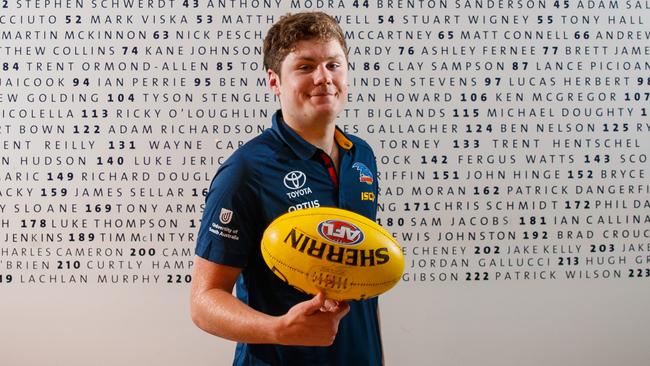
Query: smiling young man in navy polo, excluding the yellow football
point(302, 161)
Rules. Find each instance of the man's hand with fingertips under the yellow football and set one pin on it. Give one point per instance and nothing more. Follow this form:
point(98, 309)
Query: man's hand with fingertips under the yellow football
point(313, 322)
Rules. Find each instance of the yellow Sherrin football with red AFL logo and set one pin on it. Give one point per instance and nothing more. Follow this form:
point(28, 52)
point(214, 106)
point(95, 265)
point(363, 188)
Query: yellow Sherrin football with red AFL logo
point(339, 252)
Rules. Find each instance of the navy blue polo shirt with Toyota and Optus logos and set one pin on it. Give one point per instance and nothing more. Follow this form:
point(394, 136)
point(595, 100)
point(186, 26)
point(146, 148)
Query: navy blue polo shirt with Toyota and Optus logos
point(272, 174)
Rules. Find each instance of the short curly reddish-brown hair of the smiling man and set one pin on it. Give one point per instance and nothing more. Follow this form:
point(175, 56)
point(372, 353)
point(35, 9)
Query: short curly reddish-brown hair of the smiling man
point(283, 36)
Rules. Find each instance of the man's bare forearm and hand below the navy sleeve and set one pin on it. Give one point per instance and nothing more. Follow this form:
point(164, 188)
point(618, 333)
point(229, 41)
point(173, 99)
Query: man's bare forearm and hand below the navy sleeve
point(214, 309)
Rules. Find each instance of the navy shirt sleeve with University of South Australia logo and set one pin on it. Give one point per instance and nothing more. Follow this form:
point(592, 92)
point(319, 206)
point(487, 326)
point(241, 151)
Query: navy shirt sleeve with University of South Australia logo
point(230, 228)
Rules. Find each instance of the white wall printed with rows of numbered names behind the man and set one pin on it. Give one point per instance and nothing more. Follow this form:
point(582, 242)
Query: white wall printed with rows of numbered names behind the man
point(509, 316)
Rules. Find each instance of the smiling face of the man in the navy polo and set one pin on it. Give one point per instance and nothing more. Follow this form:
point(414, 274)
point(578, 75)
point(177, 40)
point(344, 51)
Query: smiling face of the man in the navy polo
point(314, 83)
